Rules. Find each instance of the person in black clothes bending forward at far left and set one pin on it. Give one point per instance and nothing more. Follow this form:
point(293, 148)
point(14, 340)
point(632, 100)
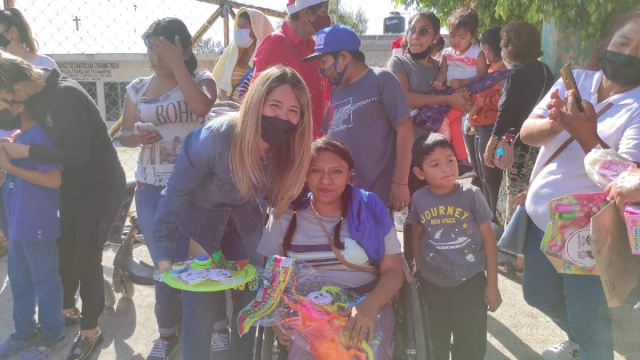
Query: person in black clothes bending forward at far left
point(93, 182)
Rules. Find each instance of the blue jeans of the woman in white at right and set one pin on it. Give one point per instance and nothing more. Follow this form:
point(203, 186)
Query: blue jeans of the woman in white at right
point(576, 303)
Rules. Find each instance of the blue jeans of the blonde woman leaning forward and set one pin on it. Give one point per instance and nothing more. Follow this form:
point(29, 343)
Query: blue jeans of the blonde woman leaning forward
point(200, 311)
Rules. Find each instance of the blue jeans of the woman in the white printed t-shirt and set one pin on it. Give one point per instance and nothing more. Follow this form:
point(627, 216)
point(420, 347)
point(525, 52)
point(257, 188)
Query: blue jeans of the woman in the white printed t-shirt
point(167, 298)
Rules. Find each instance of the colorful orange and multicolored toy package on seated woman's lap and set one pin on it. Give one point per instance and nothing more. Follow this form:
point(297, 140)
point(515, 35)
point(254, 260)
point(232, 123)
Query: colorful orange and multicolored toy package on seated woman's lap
point(291, 296)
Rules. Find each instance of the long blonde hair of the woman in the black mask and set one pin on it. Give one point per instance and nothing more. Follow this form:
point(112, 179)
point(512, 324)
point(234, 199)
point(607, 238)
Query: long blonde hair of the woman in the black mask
point(289, 162)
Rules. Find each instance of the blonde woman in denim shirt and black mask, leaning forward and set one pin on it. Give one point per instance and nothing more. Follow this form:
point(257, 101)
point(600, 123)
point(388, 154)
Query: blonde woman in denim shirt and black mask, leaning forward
point(211, 200)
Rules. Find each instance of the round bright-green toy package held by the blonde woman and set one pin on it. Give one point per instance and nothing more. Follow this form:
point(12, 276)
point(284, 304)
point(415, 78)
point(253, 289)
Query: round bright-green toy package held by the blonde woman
point(210, 273)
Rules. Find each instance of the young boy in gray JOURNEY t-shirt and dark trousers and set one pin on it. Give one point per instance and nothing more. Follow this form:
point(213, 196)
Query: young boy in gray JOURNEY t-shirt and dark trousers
point(454, 245)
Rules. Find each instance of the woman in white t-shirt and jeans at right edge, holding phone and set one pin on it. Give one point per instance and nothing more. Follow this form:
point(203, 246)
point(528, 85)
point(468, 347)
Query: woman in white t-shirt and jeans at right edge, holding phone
point(611, 119)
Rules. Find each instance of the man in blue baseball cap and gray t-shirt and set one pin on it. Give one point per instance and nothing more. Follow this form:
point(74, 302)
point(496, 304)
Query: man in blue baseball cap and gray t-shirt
point(368, 110)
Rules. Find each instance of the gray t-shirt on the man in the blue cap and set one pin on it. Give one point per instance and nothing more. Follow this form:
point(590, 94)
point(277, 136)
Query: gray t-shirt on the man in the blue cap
point(364, 115)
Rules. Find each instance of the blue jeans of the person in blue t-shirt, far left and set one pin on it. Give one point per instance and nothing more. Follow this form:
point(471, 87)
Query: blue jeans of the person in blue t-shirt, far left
point(33, 274)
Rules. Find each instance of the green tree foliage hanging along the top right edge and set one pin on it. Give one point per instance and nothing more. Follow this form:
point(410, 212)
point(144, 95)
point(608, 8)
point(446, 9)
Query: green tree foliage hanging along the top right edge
point(595, 17)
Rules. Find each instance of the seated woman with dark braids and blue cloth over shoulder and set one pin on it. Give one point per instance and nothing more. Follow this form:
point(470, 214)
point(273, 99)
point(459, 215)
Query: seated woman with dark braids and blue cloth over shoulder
point(347, 235)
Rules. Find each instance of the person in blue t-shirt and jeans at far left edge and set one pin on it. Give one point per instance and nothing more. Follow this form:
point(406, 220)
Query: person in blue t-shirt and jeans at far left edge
point(32, 202)
